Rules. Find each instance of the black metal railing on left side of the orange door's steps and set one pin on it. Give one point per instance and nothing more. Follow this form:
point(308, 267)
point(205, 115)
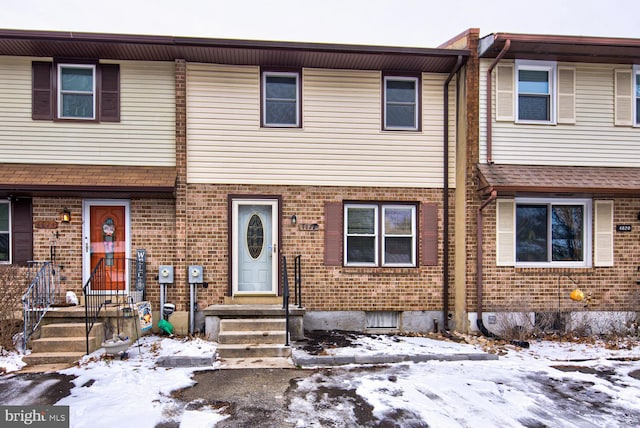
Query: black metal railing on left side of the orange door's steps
point(39, 297)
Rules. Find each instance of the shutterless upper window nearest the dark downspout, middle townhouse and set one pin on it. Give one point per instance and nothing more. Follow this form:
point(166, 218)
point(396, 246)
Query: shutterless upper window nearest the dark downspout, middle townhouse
point(401, 103)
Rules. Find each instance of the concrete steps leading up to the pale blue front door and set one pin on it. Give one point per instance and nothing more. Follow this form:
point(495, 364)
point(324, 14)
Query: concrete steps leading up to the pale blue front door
point(252, 337)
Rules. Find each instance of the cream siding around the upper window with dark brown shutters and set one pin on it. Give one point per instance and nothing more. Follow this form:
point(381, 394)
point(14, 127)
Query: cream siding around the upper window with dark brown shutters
point(144, 136)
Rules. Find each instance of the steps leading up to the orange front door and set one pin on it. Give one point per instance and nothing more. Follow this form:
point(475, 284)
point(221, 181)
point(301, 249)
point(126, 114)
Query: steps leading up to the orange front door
point(62, 343)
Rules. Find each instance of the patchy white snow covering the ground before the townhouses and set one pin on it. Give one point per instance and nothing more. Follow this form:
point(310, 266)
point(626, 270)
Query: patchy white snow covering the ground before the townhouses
point(558, 384)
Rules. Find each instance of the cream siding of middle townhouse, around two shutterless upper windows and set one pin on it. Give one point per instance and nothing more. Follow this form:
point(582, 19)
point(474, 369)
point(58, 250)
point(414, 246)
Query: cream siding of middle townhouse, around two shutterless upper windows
point(340, 143)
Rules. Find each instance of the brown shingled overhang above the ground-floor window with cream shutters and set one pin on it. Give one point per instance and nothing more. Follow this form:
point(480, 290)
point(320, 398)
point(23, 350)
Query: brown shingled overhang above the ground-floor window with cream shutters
point(523, 179)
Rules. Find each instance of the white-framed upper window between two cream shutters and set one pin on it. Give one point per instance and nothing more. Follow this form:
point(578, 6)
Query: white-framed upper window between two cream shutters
point(535, 86)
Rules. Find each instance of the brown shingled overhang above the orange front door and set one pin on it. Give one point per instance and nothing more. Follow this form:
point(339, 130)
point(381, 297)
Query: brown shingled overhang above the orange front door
point(86, 181)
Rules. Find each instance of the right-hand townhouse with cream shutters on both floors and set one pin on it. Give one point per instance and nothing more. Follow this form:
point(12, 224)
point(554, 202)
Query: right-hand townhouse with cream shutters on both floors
point(558, 179)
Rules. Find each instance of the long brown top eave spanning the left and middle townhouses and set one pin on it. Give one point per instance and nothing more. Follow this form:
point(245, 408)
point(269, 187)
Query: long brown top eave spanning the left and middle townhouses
point(227, 51)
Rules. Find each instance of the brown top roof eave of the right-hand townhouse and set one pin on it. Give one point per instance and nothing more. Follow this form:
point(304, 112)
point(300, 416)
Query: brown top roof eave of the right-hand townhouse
point(562, 48)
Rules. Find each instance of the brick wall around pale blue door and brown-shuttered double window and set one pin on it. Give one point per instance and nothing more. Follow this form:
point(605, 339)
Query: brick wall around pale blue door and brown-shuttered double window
point(324, 288)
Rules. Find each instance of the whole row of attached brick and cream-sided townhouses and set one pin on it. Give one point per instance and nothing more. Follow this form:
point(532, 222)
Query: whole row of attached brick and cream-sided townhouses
point(419, 189)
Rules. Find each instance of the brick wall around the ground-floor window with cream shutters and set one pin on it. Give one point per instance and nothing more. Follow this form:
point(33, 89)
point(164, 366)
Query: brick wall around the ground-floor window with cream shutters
point(544, 289)
